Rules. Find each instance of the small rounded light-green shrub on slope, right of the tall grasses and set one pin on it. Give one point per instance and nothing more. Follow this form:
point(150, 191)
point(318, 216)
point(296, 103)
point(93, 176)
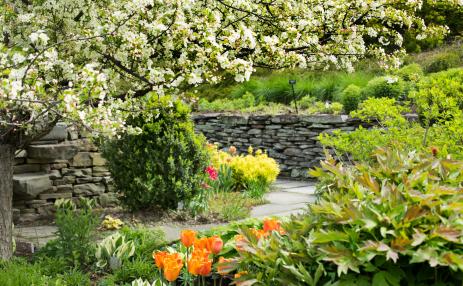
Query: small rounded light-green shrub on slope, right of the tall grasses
point(385, 86)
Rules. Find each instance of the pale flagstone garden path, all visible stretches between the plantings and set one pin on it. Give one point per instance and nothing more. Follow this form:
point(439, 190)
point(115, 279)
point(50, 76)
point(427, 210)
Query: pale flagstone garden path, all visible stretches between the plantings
point(287, 198)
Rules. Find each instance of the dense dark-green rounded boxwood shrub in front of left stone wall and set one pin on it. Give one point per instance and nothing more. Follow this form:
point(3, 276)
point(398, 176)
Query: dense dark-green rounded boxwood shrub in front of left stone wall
point(164, 164)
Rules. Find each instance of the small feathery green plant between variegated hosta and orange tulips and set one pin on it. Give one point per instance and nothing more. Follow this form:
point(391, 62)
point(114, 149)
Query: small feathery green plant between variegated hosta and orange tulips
point(145, 240)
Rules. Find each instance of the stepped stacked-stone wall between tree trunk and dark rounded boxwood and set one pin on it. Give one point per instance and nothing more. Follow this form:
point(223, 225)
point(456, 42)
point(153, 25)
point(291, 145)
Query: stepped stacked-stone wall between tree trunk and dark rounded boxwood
point(63, 164)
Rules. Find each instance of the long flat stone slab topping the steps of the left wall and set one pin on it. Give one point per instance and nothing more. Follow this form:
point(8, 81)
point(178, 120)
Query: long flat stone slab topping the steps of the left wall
point(63, 151)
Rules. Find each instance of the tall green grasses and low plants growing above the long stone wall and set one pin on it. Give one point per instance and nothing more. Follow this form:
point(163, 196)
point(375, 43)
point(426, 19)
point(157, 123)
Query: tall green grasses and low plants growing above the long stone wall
point(274, 88)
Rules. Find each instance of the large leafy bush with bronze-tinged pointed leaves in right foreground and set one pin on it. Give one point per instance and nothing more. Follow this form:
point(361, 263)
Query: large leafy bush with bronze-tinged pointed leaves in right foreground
point(393, 222)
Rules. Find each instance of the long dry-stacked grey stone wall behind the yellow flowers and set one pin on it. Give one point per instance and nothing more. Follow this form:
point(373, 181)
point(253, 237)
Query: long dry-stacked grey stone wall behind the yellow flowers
point(290, 139)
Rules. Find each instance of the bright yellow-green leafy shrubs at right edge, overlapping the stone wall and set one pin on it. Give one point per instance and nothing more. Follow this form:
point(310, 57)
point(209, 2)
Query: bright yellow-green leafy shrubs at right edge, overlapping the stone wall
point(438, 99)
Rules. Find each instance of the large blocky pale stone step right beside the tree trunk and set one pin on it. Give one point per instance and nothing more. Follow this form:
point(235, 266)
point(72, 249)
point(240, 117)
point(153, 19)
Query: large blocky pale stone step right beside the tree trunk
point(30, 185)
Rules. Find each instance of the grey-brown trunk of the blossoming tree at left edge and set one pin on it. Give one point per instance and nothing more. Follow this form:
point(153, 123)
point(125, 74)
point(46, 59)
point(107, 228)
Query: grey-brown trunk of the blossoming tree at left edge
point(6, 201)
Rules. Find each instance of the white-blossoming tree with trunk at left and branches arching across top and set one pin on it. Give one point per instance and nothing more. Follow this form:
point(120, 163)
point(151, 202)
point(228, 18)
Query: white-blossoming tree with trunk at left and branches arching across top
point(91, 63)
